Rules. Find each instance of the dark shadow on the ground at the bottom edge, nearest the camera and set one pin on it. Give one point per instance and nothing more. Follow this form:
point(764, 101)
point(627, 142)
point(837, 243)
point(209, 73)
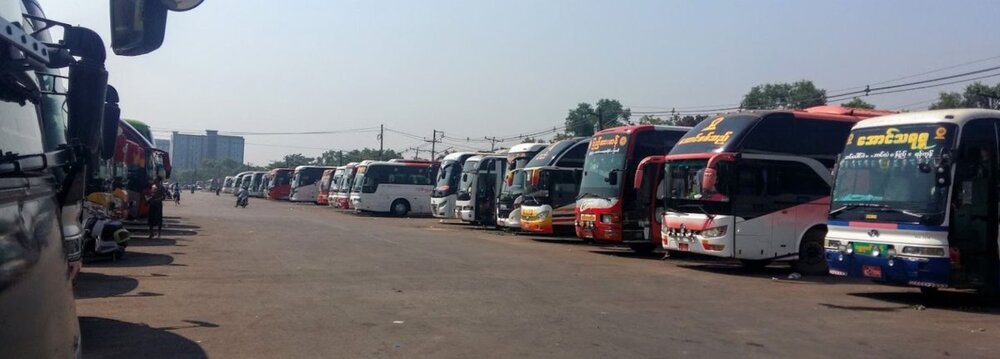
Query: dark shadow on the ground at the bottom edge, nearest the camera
point(109, 338)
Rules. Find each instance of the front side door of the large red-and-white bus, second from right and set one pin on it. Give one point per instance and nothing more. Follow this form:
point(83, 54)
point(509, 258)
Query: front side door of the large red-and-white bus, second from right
point(752, 209)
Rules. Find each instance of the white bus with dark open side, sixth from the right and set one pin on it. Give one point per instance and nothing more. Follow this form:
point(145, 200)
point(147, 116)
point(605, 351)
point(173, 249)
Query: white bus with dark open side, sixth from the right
point(482, 176)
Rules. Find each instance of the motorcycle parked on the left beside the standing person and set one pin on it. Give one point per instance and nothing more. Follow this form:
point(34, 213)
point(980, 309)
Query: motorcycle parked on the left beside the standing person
point(103, 235)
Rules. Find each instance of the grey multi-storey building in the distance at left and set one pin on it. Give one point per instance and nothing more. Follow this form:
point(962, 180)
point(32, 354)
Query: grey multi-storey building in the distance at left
point(188, 151)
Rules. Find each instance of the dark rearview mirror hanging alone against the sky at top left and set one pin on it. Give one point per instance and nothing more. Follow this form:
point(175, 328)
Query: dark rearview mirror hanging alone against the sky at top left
point(137, 26)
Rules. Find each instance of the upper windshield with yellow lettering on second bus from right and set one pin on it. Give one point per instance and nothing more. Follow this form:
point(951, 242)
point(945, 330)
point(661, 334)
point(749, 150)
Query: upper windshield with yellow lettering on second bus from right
point(714, 135)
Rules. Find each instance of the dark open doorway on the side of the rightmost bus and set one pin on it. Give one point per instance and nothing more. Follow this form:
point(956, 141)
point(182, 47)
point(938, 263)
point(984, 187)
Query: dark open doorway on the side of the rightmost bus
point(973, 229)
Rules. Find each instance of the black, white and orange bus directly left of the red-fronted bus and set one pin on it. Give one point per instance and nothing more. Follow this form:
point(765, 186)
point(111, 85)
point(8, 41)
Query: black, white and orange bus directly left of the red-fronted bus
point(566, 154)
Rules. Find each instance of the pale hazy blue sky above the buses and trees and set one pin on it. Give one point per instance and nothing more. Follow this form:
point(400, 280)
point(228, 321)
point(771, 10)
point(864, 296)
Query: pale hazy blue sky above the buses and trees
point(485, 68)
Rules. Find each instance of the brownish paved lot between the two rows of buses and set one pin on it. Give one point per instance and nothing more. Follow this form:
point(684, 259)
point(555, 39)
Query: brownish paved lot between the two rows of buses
point(283, 280)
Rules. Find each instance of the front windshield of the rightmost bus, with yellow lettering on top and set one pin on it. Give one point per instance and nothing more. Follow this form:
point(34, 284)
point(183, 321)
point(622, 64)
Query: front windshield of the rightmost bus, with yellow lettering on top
point(887, 174)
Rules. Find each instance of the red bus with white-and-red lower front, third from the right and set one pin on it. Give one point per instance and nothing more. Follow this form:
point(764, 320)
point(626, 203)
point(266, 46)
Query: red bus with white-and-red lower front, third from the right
point(606, 209)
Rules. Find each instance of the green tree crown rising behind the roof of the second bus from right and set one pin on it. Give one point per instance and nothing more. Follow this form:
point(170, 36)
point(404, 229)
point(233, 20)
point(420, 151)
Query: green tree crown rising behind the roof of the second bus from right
point(800, 94)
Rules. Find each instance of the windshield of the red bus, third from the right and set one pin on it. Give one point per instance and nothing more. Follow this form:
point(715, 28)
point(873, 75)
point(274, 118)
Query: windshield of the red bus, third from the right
point(605, 157)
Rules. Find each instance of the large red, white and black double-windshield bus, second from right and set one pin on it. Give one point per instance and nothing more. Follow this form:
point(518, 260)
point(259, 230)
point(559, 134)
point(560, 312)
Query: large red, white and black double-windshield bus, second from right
point(755, 186)
